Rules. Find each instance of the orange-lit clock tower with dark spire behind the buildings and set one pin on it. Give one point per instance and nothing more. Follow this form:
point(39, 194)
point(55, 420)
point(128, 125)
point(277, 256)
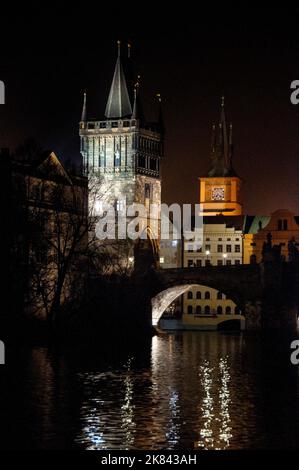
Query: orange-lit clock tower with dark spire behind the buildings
point(220, 190)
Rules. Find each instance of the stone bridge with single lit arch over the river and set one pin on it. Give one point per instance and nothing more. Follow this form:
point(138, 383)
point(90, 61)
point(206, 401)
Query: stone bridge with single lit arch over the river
point(267, 293)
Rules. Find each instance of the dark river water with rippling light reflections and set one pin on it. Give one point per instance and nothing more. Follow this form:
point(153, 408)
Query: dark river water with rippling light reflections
point(192, 390)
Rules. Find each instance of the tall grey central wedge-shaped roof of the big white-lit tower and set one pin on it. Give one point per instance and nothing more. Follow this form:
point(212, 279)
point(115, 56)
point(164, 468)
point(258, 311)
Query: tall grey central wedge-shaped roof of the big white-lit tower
point(118, 104)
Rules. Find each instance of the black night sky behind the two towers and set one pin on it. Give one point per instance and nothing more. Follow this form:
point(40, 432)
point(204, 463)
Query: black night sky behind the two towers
point(49, 56)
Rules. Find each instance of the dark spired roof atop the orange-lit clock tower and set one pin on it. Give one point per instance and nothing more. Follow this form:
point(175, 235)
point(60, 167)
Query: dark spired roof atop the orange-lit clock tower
point(222, 147)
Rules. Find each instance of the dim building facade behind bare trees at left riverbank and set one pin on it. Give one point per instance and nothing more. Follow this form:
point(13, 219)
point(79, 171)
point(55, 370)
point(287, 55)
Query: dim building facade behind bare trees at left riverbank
point(48, 235)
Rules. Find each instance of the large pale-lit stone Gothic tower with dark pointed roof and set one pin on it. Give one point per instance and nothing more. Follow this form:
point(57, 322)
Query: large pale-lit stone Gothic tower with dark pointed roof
point(123, 150)
